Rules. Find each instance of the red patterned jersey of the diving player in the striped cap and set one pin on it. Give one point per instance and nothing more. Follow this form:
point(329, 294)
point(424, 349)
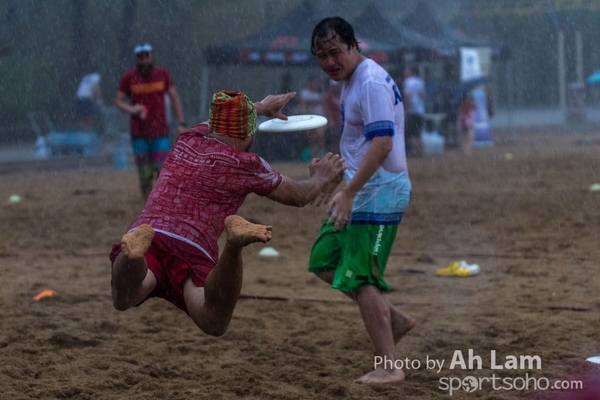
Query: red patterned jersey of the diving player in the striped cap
point(201, 183)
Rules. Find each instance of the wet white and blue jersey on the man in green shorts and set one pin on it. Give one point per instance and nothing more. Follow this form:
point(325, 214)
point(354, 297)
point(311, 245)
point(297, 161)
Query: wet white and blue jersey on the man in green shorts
point(372, 106)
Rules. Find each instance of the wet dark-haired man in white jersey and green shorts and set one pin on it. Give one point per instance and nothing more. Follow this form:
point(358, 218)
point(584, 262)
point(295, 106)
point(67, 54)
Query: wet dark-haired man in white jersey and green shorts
point(355, 242)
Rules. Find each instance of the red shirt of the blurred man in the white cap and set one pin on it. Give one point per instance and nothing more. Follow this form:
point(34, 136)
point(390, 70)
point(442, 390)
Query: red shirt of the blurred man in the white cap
point(150, 92)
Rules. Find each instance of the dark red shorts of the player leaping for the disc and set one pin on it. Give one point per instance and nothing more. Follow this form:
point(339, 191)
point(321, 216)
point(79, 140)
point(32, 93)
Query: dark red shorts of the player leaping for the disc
point(172, 261)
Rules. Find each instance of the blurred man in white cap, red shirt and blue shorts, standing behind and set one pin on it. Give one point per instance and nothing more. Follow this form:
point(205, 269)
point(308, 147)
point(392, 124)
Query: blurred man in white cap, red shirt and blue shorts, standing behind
point(141, 94)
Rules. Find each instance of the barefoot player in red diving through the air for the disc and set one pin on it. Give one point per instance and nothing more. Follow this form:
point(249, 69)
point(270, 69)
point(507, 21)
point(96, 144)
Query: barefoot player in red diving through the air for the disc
point(171, 249)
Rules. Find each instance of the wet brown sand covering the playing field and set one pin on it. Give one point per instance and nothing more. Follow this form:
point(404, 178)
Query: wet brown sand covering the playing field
point(530, 222)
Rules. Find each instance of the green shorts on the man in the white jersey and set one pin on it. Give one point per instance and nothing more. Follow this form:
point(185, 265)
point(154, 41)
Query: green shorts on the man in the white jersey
point(358, 254)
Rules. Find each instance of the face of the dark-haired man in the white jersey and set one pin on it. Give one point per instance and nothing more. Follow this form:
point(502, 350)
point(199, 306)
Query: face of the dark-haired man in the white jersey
point(334, 57)
